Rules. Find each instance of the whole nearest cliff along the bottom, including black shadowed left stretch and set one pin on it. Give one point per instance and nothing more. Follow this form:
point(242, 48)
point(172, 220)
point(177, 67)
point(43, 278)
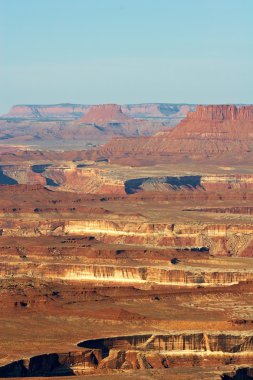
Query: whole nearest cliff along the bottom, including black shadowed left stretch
point(138, 352)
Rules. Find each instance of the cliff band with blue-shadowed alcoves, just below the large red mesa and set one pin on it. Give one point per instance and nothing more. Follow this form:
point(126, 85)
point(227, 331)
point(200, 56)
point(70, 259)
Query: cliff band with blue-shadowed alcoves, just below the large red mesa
point(99, 178)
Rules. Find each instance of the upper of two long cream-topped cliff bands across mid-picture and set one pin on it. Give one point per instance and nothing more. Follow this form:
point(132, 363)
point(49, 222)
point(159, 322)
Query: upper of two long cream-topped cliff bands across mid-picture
point(219, 239)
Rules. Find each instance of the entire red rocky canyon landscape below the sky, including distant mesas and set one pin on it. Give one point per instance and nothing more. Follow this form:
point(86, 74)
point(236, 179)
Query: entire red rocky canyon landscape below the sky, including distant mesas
point(132, 259)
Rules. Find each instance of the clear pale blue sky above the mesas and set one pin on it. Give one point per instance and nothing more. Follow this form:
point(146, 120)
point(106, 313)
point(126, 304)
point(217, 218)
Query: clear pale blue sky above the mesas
point(125, 51)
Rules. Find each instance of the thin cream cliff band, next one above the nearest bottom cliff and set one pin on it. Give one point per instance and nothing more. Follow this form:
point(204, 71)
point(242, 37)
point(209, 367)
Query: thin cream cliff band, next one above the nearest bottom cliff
point(123, 274)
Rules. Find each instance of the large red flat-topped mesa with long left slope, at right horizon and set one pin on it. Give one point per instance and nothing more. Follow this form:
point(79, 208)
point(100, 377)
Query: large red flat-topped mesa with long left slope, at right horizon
point(211, 131)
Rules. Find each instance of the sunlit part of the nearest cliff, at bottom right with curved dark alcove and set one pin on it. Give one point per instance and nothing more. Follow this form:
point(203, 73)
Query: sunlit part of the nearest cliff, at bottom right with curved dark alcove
point(162, 351)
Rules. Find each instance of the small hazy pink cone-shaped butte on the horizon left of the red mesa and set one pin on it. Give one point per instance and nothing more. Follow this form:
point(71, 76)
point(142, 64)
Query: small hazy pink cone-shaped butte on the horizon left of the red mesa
point(105, 113)
